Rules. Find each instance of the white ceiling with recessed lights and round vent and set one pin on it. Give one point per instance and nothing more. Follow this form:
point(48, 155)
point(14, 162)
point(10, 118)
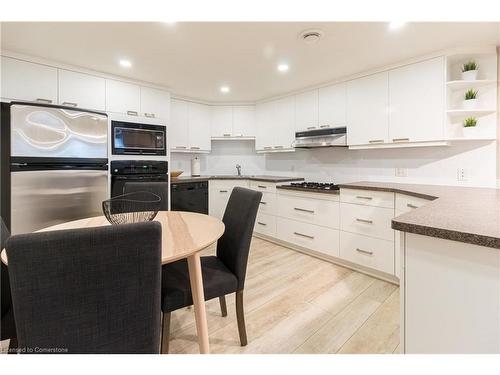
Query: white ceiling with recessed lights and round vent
point(195, 59)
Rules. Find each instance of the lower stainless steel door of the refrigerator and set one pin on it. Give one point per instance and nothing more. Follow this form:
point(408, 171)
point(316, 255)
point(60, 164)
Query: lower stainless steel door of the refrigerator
point(43, 198)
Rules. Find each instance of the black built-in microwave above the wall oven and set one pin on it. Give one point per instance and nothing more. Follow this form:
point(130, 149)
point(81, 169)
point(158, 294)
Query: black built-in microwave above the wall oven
point(130, 138)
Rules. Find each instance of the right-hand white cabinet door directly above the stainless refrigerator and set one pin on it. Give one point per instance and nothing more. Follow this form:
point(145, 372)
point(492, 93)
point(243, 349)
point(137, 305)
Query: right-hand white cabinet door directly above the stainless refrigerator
point(82, 90)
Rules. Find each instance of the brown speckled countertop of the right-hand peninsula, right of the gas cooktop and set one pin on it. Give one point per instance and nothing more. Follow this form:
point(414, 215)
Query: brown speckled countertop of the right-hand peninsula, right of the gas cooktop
point(464, 214)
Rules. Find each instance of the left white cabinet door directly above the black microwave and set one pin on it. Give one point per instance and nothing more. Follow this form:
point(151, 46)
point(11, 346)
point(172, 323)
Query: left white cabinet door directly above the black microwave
point(123, 97)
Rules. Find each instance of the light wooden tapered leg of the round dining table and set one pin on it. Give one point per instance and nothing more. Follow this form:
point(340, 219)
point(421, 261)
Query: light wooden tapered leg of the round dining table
point(196, 280)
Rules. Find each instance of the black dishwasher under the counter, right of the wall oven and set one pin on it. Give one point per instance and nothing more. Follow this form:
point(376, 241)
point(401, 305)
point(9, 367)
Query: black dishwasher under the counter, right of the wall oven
point(189, 196)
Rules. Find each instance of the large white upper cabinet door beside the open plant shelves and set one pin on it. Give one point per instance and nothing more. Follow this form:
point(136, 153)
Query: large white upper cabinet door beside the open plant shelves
point(416, 99)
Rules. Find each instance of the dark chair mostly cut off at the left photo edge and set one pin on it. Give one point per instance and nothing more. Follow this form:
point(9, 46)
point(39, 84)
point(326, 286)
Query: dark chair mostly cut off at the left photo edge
point(7, 324)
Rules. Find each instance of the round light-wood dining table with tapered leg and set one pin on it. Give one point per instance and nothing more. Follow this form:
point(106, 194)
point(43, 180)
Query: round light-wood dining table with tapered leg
point(184, 236)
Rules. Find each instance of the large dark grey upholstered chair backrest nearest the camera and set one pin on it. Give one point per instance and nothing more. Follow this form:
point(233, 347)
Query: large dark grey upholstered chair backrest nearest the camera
point(92, 290)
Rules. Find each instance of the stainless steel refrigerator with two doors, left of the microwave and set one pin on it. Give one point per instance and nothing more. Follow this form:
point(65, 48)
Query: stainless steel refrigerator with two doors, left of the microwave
point(58, 165)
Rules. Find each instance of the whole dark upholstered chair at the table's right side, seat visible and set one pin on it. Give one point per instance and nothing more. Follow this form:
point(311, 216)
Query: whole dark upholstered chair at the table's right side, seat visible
point(222, 274)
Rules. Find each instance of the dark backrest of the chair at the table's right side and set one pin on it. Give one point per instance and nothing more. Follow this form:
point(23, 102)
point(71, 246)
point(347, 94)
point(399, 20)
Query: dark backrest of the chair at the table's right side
point(239, 219)
